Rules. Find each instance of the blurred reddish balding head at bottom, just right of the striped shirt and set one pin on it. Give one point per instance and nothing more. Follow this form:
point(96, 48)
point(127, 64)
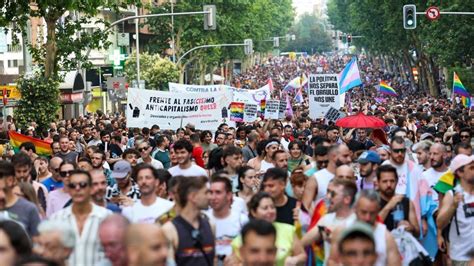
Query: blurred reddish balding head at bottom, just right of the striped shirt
point(112, 237)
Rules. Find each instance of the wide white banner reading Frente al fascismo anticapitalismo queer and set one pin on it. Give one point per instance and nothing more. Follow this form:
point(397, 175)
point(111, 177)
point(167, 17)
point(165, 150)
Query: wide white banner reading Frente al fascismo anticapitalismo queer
point(172, 110)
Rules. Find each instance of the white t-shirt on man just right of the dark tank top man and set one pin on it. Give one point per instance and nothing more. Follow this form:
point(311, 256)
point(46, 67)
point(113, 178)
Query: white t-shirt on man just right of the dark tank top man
point(226, 230)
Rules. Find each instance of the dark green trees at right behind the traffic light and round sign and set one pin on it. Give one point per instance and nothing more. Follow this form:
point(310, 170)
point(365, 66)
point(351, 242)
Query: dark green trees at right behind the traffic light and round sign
point(437, 44)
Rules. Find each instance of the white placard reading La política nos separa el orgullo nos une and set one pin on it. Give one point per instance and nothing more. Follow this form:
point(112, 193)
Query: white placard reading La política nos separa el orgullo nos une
point(323, 93)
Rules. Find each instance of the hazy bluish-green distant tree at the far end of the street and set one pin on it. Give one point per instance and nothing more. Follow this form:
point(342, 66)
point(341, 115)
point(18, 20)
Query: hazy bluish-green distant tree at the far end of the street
point(312, 36)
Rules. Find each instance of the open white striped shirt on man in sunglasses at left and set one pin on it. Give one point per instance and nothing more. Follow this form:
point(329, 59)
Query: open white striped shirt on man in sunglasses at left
point(87, 249)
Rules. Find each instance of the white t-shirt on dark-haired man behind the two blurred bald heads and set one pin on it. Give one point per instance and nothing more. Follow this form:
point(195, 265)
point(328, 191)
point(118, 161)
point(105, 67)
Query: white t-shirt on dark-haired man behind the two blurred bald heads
point(139, 213)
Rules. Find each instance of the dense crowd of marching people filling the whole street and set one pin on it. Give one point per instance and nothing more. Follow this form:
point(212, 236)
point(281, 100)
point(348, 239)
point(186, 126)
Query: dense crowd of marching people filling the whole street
point(296, 191)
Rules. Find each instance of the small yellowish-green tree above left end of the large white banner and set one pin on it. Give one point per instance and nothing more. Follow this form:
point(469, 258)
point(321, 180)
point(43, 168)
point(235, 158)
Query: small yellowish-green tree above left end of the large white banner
point(156, 71)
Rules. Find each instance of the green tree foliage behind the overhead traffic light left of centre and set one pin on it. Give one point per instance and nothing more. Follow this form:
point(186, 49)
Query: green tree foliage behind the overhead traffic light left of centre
point(236, 20)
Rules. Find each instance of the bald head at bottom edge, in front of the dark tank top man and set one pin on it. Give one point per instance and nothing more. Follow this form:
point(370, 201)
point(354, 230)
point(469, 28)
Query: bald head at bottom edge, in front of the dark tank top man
point(146, 245)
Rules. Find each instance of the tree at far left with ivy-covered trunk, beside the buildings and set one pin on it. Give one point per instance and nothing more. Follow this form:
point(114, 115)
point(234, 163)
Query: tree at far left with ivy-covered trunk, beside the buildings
point(63, 48)
